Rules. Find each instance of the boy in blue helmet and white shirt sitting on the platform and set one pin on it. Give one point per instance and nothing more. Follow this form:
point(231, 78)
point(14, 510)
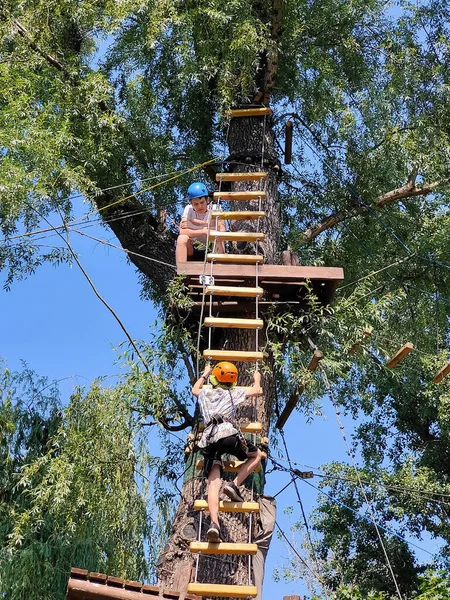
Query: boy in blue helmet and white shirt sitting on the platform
point(194, 224)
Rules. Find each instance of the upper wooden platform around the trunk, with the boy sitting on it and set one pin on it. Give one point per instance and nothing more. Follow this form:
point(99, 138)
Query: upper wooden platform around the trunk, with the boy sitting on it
point(280, 283)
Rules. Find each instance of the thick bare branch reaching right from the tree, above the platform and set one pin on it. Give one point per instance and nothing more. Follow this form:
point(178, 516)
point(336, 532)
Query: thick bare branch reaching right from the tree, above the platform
point(408, 190)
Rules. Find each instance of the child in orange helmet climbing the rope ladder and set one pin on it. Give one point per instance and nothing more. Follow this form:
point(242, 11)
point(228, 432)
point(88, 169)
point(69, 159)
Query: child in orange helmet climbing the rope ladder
point(221, 435)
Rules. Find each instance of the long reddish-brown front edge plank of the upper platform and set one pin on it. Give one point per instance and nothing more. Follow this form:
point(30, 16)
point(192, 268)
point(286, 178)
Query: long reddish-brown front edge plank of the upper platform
point(279, 273)
